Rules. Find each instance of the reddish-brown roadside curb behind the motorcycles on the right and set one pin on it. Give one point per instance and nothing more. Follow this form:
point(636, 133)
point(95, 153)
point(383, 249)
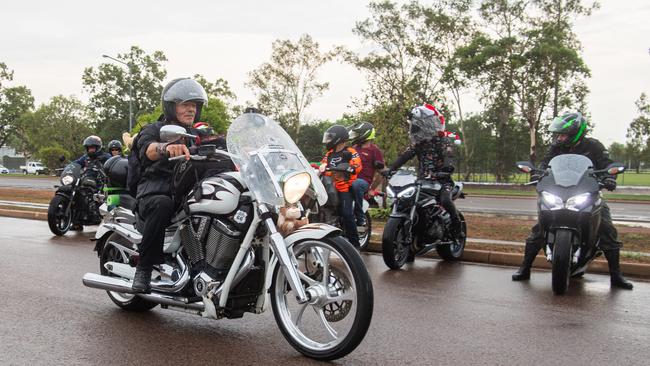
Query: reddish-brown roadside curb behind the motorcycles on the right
point(514, 260)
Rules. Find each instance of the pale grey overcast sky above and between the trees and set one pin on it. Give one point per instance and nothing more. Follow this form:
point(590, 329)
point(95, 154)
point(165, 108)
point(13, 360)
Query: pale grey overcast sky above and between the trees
point(49, 43)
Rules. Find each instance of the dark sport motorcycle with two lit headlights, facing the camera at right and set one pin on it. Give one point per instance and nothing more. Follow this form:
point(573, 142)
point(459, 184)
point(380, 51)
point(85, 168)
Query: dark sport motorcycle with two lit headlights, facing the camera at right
point(569, 208)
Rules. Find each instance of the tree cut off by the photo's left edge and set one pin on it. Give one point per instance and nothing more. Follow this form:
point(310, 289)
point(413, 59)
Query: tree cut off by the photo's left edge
point(14, 101)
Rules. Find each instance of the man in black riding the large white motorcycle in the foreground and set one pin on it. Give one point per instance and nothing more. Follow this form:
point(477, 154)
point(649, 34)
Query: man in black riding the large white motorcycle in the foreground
point(182, 101)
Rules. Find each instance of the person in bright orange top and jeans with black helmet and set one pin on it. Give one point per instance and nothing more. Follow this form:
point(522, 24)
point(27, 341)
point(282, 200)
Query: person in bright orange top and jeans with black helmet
point(338, 153)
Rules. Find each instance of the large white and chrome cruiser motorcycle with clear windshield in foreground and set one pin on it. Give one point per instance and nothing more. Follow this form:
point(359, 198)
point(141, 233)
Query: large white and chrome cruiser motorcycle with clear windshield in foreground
point(237, 246)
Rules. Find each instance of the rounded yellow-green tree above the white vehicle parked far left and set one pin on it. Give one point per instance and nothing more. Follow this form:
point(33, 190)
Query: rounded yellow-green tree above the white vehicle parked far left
point(63, 123)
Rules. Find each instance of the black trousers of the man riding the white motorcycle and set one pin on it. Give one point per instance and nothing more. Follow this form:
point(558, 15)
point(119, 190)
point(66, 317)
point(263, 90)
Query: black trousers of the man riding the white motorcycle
point(156, 213)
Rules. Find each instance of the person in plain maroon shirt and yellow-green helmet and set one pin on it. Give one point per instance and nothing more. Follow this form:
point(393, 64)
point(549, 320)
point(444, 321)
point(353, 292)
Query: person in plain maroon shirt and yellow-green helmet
point(372, 159)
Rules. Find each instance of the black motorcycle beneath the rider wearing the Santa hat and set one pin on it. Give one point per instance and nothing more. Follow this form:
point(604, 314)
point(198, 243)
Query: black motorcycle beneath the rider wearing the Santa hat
point(418, 223)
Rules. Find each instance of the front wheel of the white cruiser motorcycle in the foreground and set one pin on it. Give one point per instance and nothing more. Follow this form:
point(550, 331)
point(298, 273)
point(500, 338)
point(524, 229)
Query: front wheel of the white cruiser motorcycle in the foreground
point(348, 278)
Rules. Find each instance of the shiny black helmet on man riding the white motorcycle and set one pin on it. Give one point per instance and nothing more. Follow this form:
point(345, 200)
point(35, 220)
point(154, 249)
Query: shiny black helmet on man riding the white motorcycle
point(180, 91)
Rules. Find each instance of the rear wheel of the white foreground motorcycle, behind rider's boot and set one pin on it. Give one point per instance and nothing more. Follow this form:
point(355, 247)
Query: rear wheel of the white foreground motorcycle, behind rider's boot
point(110, 253)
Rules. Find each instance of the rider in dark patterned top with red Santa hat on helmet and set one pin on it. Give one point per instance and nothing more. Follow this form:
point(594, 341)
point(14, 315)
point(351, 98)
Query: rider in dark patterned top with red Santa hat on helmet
point(435, 156)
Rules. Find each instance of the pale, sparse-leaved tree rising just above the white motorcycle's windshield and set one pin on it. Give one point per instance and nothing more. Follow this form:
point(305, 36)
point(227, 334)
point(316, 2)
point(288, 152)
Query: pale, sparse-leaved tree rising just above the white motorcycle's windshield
point(287, 84)
